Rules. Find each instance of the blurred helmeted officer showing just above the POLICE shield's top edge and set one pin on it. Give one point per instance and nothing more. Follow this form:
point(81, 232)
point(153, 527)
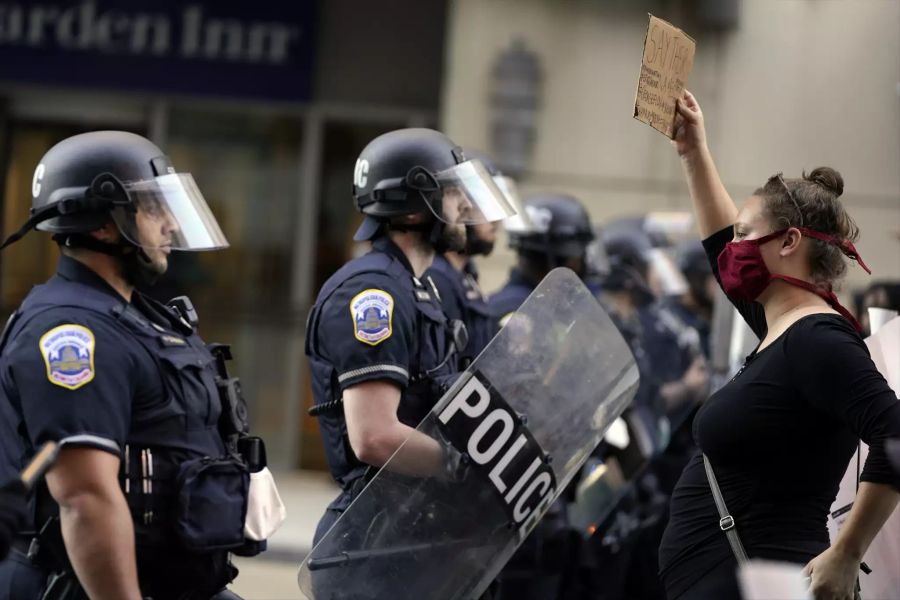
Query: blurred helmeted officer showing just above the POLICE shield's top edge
point(558, 234)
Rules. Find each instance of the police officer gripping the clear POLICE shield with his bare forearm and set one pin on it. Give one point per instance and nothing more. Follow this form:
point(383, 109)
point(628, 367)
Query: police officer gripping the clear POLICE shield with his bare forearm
point(380, 348)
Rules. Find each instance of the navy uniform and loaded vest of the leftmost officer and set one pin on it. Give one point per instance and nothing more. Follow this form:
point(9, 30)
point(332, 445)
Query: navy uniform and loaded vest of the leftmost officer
point(83, 367)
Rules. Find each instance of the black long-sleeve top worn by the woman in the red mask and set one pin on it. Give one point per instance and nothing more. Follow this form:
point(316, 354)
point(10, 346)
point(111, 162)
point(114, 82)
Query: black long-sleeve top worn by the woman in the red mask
point(779, 436)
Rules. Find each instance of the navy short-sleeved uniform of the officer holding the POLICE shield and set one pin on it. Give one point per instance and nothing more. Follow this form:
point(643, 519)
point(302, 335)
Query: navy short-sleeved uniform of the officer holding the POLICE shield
point(374, 321)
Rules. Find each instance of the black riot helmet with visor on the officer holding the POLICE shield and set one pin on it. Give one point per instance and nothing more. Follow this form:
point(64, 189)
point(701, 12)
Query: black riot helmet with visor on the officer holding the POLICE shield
point(410, 171)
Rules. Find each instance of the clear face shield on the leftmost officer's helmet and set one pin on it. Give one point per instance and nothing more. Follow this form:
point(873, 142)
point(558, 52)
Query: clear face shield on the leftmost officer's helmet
point(168, 212)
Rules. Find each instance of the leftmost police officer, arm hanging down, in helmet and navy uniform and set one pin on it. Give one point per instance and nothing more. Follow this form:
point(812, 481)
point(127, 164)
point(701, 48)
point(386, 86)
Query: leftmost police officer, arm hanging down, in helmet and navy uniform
point(149, 491)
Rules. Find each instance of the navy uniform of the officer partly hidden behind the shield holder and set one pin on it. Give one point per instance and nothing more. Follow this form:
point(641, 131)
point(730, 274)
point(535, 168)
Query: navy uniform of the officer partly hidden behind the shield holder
point(462, 299)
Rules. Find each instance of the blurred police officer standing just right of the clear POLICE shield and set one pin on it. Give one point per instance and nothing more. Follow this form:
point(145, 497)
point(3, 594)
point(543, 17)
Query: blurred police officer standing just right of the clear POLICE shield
point(673, 379)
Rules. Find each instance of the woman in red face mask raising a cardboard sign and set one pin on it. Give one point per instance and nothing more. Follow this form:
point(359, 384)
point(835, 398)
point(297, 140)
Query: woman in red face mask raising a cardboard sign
point(778, 437)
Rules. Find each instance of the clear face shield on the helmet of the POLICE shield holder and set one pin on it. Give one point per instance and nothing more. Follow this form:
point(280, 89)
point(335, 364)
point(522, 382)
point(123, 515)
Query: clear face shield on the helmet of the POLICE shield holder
point(469, 196)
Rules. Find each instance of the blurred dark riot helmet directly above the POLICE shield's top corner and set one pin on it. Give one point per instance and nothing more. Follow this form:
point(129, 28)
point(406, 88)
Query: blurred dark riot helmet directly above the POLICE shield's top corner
point(559, 229)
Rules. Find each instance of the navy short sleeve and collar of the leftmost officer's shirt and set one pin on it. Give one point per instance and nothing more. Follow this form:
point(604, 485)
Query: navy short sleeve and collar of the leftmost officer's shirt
point(75, 376)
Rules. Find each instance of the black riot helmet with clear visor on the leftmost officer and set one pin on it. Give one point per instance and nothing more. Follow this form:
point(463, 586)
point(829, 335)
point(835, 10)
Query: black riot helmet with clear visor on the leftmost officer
point(84, 181)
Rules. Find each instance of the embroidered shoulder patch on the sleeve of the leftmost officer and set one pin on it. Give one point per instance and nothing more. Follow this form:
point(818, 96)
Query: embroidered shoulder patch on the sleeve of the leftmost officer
point(68, 352)
